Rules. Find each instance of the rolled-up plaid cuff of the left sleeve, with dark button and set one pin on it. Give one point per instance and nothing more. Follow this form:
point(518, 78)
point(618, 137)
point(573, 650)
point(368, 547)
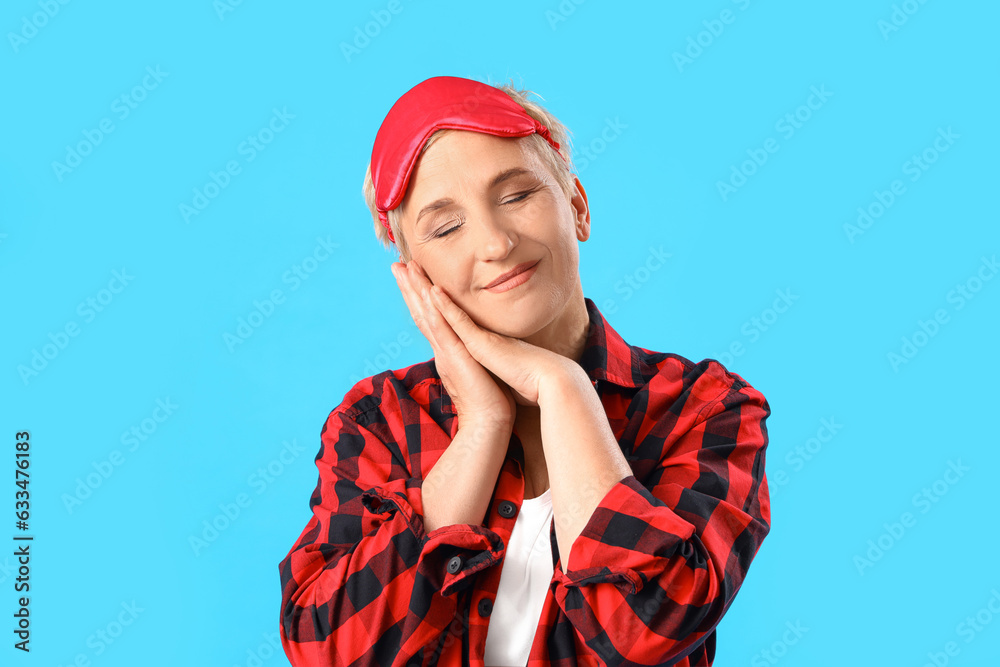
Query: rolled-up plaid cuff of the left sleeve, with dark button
point(452, 554)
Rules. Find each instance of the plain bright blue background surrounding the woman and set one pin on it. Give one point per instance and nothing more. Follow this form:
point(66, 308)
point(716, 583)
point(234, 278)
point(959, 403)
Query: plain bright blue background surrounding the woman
point(684, 126)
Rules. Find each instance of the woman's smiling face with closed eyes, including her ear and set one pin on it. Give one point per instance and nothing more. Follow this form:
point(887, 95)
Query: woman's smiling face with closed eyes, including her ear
point(478, 206)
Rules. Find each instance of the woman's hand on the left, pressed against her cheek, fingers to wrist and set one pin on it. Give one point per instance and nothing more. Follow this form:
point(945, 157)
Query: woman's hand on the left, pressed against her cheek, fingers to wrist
point(478, 395)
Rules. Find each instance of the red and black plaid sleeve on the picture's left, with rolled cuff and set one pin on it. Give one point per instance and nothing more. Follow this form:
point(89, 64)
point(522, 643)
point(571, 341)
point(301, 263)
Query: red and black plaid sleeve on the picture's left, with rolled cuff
point(364, 583)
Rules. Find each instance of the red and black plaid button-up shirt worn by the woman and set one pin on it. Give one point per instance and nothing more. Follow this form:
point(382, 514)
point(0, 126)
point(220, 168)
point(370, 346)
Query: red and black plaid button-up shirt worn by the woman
point(656, 567)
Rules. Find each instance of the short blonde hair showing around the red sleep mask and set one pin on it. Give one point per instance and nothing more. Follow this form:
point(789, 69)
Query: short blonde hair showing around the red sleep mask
point(560, 169)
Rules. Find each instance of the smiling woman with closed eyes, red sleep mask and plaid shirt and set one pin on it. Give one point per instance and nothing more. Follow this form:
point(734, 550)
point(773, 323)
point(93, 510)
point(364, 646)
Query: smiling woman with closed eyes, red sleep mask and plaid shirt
point(540, 492)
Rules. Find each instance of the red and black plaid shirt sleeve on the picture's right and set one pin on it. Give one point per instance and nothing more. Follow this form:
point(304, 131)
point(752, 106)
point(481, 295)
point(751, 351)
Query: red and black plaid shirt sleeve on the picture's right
point(655, 569)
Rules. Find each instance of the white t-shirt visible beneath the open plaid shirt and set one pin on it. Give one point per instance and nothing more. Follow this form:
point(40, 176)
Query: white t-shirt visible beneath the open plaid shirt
point(524, 581)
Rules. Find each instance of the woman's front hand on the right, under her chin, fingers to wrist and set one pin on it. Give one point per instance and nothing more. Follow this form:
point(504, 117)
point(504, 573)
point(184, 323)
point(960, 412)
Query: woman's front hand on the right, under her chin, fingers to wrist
point(521, 365)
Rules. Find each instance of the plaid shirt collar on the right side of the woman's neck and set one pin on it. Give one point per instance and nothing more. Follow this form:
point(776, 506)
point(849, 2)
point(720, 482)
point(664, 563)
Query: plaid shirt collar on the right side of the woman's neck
point(607, 357)
